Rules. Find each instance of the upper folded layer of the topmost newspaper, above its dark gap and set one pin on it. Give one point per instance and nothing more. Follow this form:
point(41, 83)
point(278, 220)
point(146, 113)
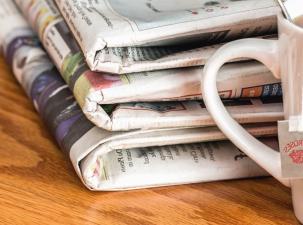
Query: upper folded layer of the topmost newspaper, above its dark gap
point(154, 22)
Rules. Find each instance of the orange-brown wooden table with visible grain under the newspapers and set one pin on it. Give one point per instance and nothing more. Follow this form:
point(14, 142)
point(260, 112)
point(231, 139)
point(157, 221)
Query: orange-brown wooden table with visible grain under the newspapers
point(38, 185)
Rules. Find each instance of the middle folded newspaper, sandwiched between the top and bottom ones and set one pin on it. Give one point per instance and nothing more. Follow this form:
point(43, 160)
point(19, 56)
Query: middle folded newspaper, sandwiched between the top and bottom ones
point(92, 90)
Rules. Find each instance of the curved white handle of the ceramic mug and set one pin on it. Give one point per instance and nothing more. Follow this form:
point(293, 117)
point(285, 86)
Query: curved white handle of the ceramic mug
point(265, 51)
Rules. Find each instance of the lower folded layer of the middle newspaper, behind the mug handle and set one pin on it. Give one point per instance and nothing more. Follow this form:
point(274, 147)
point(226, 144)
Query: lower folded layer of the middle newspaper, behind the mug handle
point(140, 115)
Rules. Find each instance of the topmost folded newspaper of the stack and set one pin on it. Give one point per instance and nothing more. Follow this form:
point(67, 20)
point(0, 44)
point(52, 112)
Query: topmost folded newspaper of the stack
point(110, 31)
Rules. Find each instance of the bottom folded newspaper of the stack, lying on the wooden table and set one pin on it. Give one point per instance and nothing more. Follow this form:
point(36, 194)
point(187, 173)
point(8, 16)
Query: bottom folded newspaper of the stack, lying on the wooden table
point(118, 160)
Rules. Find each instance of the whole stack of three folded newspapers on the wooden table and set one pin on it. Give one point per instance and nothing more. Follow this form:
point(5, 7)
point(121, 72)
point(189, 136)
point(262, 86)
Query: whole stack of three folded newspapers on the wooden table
point(121, 93)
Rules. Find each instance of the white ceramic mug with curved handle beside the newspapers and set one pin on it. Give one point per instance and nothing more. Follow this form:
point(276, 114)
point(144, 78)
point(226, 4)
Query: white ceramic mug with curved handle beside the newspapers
point(284, 57)
